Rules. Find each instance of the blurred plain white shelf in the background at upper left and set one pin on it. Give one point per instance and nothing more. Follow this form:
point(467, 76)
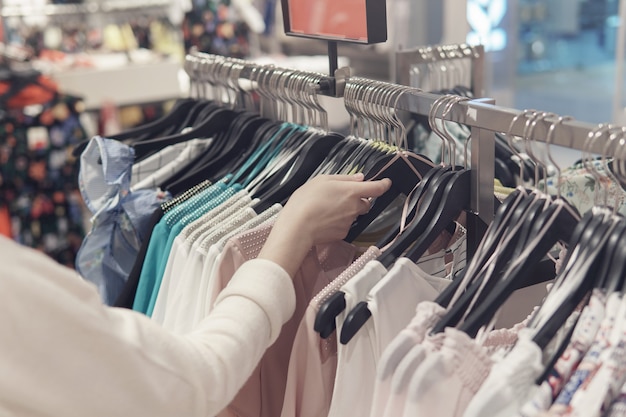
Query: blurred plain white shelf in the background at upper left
point(130, 84)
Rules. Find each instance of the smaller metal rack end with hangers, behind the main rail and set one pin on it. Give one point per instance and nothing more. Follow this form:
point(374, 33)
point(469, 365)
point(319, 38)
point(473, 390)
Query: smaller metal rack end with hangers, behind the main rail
point(405, 59)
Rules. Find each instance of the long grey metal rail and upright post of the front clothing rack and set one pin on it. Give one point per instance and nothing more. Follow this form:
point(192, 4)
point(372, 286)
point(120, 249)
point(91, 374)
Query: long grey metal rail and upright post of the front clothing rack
point(484, 118)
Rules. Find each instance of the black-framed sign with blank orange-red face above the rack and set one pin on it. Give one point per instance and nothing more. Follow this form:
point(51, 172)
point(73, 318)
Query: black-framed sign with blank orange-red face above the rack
point(353, 21)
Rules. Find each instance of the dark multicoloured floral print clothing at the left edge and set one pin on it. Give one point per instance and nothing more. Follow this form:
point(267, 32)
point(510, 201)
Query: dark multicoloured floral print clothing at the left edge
point(38, 176)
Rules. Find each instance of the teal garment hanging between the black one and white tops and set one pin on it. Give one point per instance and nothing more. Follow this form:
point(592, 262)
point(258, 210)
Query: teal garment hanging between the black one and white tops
point(163, 237)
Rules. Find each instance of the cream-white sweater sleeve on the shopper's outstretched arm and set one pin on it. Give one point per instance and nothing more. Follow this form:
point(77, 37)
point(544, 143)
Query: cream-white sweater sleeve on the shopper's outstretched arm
point(63, 353)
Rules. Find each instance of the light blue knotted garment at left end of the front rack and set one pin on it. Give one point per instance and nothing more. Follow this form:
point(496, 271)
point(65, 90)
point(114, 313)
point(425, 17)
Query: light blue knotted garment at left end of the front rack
point(120, 220)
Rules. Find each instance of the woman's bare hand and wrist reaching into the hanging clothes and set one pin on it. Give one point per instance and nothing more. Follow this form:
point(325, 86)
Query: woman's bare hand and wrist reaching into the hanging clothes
point(320, 211)
